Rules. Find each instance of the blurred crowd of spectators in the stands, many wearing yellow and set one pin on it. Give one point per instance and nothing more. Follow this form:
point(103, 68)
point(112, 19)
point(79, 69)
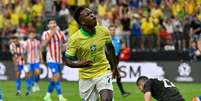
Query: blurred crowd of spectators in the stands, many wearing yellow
point(144, 25)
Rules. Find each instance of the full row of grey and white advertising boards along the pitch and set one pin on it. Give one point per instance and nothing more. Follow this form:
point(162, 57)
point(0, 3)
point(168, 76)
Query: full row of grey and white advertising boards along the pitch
point(129, 71)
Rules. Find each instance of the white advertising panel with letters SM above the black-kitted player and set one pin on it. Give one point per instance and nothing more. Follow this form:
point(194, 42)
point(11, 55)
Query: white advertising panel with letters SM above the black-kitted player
point(130, 71)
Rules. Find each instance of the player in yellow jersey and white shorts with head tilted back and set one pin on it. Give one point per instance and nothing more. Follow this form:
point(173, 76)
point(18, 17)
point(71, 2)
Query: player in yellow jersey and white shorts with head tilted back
point(88, 46)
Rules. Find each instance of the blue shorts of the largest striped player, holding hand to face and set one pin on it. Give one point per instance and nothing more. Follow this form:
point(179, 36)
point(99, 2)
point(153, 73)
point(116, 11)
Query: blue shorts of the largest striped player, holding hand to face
point(54, 67)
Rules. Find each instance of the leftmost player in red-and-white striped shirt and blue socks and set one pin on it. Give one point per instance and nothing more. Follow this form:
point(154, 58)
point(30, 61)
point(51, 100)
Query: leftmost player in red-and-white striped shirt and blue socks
point(18, 56)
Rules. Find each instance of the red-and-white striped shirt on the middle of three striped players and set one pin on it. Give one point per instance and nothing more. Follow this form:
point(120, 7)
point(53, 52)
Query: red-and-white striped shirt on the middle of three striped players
point(33, 51)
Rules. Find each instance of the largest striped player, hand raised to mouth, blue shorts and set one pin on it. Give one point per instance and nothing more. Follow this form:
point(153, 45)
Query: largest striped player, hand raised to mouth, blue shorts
point(53, 39)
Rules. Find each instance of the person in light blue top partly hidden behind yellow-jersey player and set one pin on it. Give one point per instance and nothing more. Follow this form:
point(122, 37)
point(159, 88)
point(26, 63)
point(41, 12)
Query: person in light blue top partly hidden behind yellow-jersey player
point(116, 41)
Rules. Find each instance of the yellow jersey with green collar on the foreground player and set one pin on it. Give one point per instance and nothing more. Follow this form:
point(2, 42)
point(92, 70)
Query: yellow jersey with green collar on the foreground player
point(82, 46)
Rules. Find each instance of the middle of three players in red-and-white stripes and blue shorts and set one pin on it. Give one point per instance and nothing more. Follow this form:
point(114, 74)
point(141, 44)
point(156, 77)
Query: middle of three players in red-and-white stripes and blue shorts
point(32, 46)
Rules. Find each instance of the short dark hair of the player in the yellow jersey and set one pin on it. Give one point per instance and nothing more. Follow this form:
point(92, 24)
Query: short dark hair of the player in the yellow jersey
point(76, 14)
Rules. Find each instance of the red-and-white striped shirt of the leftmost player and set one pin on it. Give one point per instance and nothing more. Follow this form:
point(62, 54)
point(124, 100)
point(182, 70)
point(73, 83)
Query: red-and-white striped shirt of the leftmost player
point(18, 52)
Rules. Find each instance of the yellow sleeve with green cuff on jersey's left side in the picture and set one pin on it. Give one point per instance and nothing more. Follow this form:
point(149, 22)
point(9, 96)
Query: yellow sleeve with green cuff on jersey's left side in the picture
point(71, 48)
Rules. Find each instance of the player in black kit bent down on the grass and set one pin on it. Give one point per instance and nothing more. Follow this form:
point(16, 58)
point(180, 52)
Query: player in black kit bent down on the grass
point(161, 90)
